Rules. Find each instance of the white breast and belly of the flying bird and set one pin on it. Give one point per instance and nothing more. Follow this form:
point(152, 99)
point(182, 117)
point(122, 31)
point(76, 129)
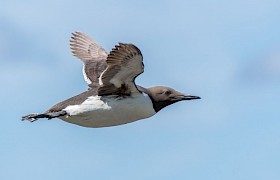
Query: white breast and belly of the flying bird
point(99, 111)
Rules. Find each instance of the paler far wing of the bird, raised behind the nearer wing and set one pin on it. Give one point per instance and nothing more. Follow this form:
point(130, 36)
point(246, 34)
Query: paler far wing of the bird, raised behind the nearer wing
point(92, 55)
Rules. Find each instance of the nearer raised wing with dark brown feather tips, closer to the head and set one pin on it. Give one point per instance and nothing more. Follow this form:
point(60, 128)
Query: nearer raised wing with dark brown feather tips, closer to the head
point(125, 63)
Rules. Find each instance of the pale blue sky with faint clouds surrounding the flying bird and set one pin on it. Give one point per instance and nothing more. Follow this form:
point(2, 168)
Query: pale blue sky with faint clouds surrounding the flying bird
point(227, 52)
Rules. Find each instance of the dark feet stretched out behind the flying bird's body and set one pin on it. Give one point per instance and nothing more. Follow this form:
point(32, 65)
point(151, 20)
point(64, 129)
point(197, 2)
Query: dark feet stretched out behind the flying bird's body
point(49, 115)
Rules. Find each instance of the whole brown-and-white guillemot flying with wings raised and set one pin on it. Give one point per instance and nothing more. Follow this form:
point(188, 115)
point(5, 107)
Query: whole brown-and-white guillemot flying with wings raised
point(112, 98)
